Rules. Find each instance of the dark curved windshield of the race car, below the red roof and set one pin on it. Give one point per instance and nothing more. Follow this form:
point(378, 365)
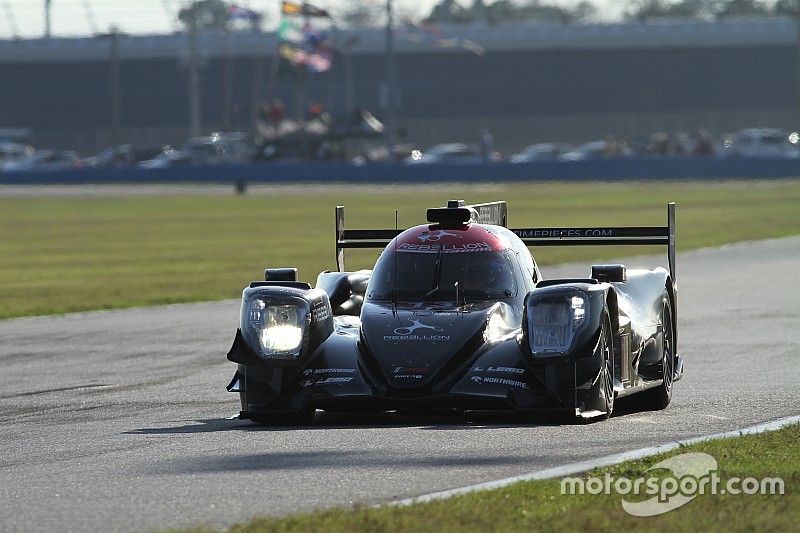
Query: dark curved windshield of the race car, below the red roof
point(443, 276)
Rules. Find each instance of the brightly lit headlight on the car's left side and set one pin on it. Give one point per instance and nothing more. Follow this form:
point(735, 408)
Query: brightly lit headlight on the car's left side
point(278, 329)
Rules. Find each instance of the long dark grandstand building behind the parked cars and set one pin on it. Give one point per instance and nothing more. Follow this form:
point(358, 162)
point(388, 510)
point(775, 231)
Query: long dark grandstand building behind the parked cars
point(526, 83)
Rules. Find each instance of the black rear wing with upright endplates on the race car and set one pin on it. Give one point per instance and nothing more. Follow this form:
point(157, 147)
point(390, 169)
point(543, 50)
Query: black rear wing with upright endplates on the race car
point(497, 213)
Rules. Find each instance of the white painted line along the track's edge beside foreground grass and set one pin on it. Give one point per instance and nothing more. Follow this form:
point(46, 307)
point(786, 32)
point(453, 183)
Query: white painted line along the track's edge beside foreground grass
point(584, 466)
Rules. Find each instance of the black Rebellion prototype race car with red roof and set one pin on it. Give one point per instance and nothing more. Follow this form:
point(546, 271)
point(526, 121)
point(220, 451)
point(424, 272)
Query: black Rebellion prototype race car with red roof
point(456, 316)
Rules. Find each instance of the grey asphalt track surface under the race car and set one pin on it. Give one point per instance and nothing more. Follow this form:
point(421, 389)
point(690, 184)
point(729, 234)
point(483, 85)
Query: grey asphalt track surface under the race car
point(119, 420)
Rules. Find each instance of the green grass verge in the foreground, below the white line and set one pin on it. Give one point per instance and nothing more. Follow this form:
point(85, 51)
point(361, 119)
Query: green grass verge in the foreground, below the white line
point(541, 506)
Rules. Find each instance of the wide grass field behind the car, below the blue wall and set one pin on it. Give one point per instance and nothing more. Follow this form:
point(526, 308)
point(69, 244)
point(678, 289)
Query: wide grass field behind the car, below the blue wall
point(62, 254)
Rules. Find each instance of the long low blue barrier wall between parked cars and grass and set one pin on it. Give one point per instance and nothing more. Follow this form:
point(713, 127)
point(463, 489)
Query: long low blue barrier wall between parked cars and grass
point(611, 169)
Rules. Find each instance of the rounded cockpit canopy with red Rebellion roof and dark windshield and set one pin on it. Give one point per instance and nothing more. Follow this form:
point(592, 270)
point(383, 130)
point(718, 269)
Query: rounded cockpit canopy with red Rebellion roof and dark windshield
point(429, 263)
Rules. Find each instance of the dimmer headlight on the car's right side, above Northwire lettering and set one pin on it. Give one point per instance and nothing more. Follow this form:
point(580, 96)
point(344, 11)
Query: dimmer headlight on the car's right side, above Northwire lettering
point(554, 323)
